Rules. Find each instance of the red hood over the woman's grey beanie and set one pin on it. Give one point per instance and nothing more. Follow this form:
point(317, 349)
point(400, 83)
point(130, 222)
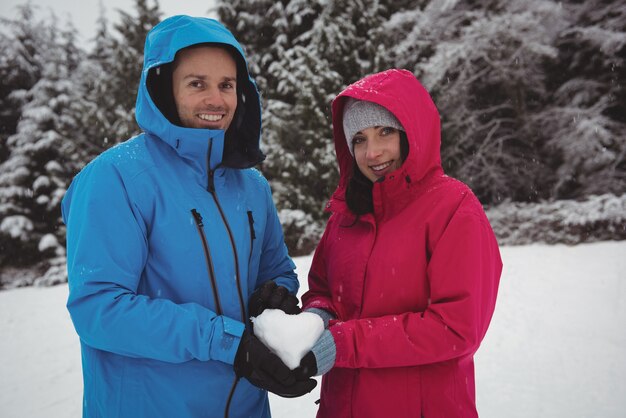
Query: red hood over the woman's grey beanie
point(403, 95)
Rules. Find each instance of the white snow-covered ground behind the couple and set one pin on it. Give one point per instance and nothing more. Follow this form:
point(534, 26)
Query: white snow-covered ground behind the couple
point(556, 346)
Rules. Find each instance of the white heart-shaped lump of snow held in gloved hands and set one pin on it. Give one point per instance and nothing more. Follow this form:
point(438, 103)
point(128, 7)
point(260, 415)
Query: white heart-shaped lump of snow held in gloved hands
point(290, 337)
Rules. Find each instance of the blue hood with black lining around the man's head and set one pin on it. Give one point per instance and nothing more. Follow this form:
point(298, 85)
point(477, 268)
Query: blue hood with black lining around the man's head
point(155, 110)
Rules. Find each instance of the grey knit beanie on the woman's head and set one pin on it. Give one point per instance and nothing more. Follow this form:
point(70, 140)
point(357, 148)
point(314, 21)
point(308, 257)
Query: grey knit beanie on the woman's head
point(361, 114)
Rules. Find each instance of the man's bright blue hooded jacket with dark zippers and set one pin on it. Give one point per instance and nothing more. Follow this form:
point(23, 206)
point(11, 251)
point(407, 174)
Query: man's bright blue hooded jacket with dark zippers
point(168, 234)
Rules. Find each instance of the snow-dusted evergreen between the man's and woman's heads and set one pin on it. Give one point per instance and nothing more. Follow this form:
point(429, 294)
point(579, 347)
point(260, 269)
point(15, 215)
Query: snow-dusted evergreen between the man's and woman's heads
point(305, 52)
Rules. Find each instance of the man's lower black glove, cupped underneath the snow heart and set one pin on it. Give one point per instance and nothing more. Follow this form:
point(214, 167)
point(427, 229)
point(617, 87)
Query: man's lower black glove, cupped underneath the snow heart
point(265, 370)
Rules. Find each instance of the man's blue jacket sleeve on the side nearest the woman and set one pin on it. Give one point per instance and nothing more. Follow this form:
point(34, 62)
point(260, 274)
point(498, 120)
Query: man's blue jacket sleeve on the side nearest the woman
point(275, 263)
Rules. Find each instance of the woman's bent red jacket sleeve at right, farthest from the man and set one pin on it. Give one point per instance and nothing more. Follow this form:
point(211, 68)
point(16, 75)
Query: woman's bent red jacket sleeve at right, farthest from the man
point(464, 272)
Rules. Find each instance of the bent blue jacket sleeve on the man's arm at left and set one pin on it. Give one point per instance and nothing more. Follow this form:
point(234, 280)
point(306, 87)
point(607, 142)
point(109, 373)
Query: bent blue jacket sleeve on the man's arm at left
point(107, 252)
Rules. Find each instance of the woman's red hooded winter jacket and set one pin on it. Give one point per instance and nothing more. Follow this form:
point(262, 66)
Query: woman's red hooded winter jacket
point(413, 285)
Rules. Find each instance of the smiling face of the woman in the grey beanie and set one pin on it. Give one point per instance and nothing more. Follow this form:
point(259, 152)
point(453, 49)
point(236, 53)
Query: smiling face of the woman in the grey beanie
point(377, 151)
